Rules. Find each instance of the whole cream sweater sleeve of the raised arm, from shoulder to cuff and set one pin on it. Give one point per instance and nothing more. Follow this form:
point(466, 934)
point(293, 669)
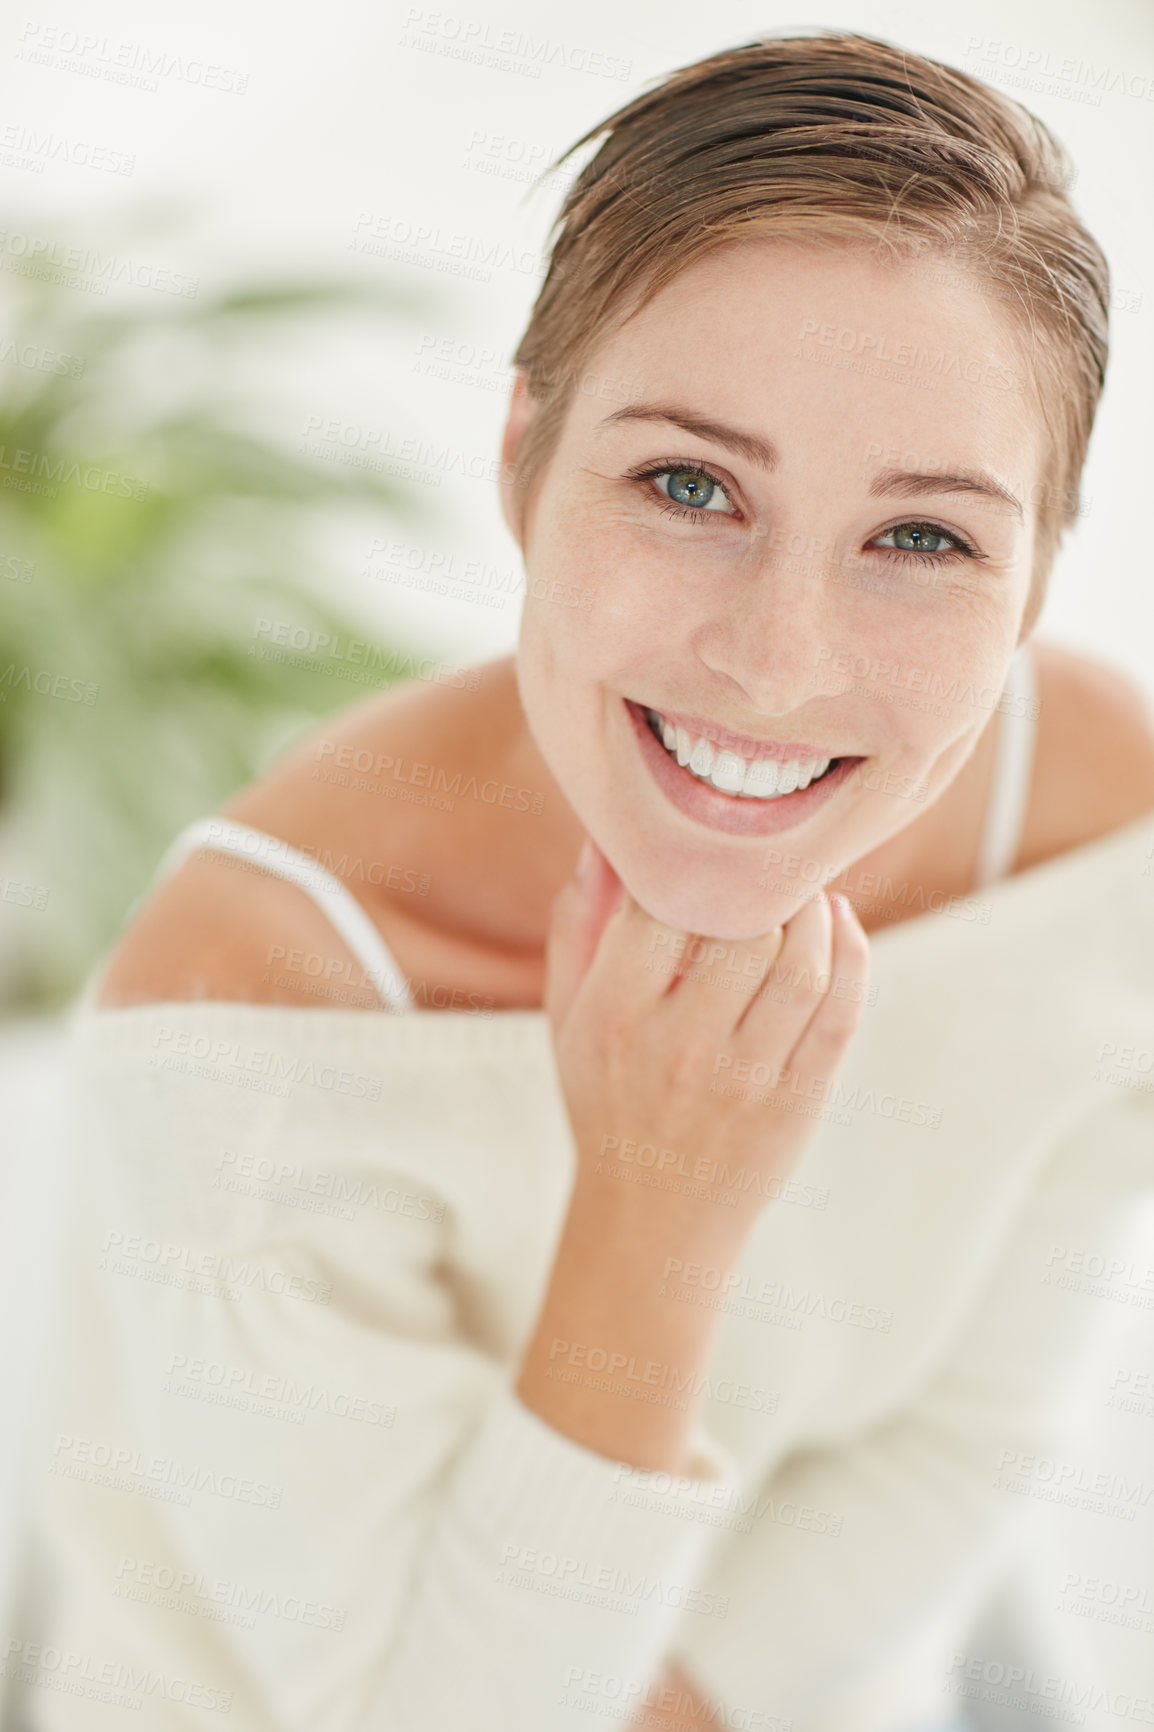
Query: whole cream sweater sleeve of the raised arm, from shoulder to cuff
point(282, 1468)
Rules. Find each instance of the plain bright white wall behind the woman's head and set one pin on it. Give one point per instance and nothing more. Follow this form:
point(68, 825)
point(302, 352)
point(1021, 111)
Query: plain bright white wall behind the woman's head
point(288, 136)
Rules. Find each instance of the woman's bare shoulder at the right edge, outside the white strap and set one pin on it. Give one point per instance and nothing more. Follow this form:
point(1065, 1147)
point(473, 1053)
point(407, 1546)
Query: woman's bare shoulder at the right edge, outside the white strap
point(1094, 756)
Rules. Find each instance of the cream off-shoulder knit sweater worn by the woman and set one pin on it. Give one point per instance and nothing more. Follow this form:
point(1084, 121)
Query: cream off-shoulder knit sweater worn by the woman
point(285, 1475)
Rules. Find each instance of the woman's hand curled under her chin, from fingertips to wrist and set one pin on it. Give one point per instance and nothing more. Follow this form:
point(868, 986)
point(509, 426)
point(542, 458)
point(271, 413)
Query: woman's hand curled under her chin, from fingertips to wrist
point(689, 1059)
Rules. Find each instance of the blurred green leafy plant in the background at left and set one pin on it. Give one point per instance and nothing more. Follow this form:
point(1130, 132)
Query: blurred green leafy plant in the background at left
point(145, 527)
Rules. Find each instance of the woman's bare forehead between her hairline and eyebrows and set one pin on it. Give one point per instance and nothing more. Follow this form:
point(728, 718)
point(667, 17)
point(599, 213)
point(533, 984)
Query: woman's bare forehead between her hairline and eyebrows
point(819, 354)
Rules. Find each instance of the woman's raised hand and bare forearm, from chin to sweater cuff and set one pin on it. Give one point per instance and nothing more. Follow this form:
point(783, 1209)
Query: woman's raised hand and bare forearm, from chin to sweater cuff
point(682, 1094)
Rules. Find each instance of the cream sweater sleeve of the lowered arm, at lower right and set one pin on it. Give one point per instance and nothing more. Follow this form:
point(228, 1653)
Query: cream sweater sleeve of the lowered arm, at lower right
point(931, 1497)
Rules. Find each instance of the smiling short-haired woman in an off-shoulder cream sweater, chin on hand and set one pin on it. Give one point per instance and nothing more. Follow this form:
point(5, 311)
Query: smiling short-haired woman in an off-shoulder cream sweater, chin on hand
point(665, 1328)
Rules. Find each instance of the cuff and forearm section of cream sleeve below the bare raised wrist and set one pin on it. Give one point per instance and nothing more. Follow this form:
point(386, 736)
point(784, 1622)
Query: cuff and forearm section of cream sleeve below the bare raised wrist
point(552, 1577)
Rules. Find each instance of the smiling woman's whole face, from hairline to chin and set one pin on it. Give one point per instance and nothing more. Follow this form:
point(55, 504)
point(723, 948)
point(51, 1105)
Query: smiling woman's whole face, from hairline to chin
point(788, 515)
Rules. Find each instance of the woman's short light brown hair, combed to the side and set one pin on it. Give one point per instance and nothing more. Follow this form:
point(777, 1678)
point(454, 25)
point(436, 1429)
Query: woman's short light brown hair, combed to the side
point(845, 138)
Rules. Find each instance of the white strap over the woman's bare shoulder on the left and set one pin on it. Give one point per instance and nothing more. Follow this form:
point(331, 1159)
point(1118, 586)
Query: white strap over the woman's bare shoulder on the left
point(328, 893)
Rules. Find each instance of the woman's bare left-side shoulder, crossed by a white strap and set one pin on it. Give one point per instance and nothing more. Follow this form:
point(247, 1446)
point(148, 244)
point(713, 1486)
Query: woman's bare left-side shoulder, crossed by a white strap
point(221, 927)
